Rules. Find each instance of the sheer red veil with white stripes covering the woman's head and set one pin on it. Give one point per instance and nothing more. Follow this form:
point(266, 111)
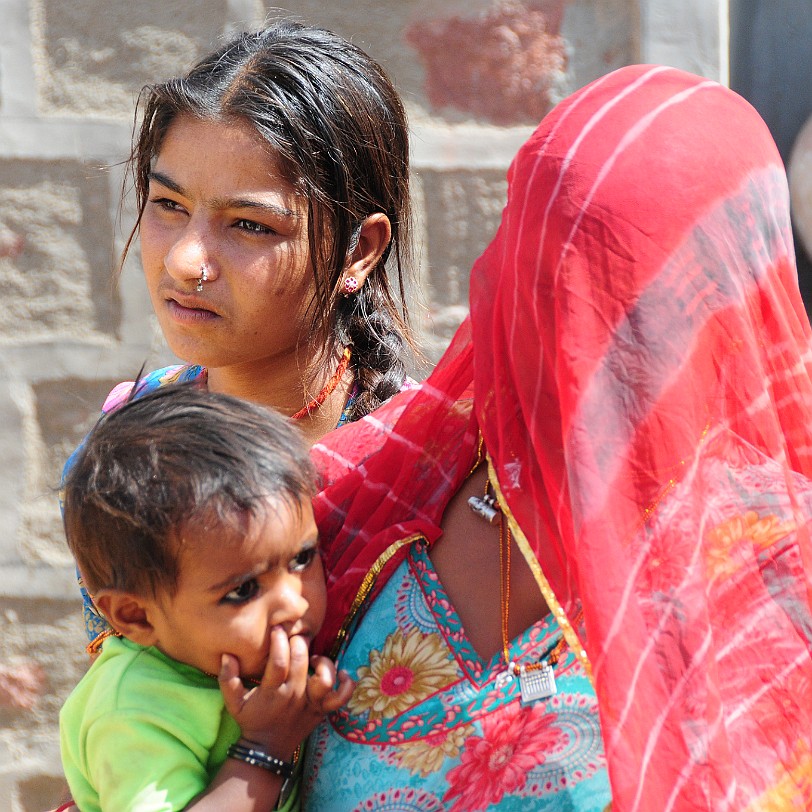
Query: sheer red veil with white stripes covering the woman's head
point(638, 362)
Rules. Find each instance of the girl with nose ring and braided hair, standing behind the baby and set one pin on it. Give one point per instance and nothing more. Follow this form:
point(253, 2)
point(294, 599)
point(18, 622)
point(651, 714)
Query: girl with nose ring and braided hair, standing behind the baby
point(272, 185)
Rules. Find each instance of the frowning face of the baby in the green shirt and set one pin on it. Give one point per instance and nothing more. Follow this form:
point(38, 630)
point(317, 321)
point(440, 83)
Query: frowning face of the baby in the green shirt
point(238, 583)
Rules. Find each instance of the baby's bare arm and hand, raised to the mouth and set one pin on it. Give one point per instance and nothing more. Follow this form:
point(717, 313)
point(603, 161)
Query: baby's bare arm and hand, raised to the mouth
point(274, 717)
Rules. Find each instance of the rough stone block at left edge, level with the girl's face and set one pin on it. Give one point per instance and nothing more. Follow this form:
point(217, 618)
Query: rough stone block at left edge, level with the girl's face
point(56, 264)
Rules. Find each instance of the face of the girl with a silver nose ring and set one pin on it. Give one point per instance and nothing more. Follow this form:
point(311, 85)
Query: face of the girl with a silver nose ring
point(218, 201)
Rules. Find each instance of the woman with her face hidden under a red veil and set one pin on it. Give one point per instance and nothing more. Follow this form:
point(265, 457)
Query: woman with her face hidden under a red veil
point(573, 568)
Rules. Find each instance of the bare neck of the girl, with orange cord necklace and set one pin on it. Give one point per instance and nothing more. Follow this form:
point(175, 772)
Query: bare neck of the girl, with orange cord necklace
point(280, 386)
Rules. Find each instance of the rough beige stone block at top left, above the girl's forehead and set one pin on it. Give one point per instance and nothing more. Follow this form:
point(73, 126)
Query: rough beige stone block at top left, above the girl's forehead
point(94, 56)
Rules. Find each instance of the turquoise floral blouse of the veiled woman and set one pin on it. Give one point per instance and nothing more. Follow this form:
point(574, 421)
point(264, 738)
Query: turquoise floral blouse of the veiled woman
point(428, 729)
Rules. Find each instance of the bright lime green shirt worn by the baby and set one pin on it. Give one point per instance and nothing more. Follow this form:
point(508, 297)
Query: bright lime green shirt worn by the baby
point(143, 733)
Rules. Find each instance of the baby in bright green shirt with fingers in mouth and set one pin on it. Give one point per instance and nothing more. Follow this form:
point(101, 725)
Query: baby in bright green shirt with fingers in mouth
point(189, 516)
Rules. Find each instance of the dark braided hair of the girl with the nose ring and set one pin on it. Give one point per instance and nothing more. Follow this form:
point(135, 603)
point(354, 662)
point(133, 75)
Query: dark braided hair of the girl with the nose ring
point(333, 116)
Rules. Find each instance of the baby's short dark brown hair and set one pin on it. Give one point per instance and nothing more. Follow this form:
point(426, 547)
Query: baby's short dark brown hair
point(175, 458)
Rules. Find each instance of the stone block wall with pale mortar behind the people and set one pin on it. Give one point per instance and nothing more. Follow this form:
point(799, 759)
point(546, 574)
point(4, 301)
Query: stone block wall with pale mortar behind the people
point(69, 75)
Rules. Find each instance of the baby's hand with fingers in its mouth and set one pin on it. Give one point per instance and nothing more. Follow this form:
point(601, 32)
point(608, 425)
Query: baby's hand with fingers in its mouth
point(286, 706)
